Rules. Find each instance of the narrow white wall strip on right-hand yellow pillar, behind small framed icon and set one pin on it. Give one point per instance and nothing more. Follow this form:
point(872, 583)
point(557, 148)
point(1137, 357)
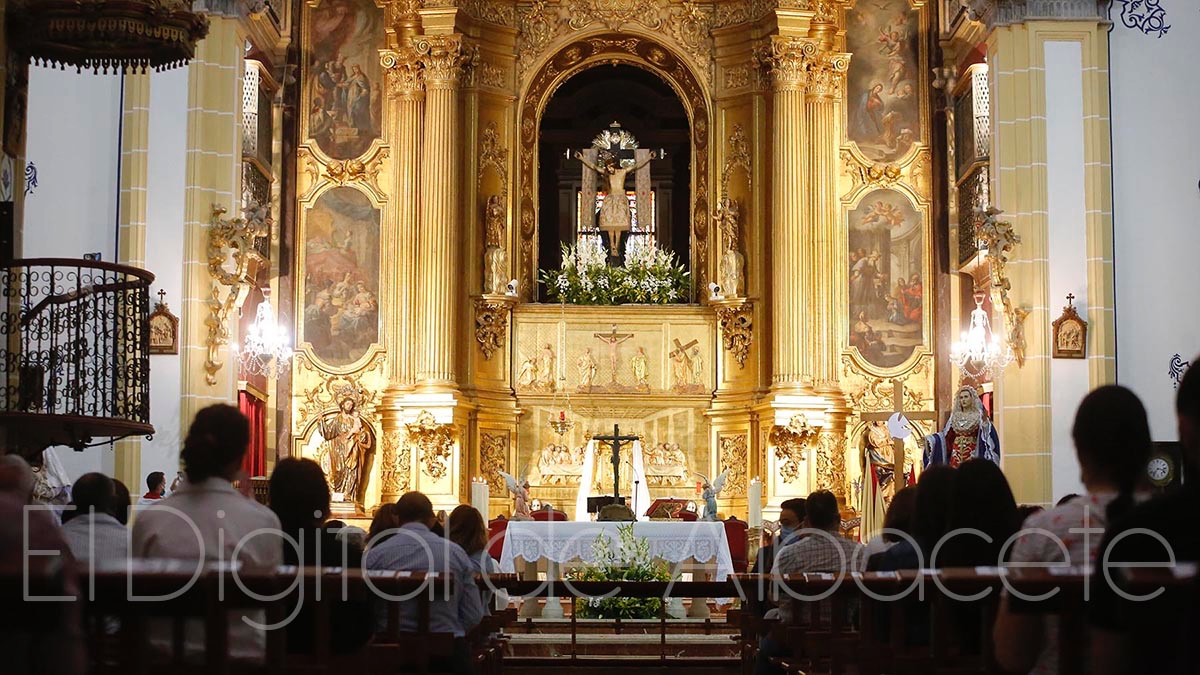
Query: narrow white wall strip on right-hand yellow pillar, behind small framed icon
point(1066, 216)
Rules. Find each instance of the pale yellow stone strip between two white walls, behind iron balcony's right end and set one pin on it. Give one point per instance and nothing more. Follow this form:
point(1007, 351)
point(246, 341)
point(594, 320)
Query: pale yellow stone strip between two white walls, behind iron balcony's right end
point(133, 229)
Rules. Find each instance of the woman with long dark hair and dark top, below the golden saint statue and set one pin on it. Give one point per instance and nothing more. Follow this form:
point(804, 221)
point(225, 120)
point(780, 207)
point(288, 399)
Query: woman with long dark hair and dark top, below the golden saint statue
point(301, 499)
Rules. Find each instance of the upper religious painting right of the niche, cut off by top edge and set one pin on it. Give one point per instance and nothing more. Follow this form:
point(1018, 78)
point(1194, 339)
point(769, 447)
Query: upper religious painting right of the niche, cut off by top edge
point(884, 83)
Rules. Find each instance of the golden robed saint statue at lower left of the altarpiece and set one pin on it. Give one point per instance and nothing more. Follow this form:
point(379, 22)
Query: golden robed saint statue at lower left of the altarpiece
point(347, 453)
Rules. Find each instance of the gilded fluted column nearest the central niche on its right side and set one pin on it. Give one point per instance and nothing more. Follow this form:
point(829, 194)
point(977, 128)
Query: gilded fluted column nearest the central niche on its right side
point(788, 59)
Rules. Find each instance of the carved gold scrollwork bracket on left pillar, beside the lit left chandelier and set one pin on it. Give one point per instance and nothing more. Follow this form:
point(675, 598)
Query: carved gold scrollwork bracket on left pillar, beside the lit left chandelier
point(235, 260)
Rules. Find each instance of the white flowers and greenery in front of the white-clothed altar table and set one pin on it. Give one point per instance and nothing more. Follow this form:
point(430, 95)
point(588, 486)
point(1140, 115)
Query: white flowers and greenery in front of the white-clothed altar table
point(629, 563)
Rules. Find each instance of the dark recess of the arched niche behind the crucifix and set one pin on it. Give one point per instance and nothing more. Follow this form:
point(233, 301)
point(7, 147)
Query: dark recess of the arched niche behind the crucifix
point(646, 107)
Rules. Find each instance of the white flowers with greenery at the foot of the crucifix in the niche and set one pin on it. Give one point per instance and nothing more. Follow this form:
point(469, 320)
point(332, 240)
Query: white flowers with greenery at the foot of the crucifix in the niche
point(650, 276)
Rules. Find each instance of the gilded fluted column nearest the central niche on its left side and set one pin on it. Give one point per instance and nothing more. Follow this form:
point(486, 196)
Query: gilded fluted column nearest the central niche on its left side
point(440, 234)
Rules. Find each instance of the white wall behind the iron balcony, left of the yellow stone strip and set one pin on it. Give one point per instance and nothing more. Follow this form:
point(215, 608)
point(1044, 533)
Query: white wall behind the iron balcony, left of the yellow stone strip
point(73, 140)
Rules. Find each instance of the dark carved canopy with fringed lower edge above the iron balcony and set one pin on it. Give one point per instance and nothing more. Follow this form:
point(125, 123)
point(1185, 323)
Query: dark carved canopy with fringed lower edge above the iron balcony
point(110, 34)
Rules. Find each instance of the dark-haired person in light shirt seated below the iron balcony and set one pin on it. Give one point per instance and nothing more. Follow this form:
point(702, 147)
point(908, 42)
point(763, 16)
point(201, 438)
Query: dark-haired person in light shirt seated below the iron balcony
point(92, 528)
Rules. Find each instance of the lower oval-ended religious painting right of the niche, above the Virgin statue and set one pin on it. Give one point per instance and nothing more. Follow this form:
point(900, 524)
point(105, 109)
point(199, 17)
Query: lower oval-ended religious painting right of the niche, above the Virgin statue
point(886, 267)
